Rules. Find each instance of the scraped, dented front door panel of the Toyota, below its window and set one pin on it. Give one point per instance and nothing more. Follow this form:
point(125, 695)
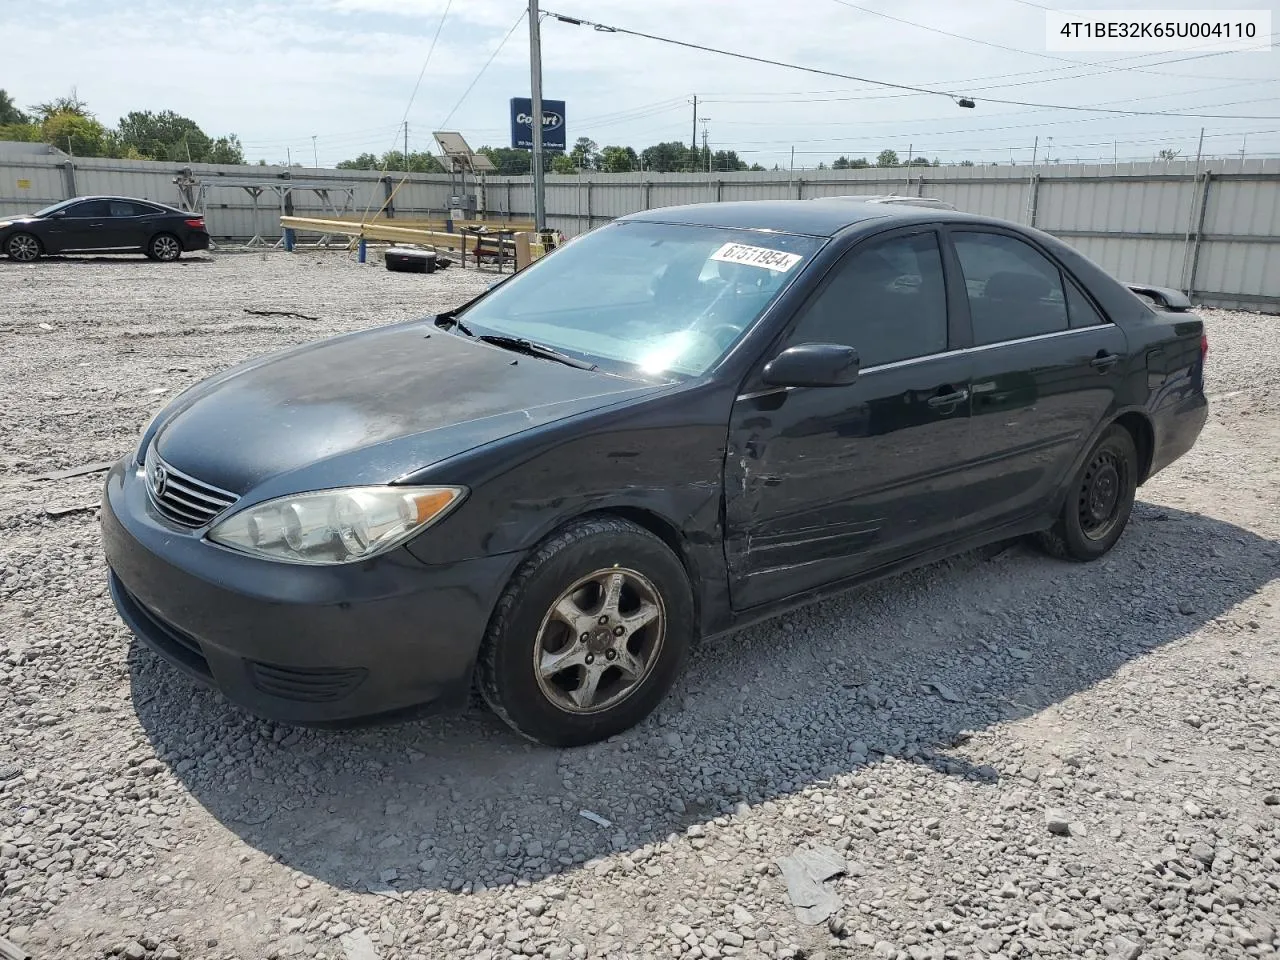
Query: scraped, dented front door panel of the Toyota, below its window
point(824, 483)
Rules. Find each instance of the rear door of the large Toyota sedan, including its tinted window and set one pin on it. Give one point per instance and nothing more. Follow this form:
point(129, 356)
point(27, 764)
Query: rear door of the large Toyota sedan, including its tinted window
point(1046, 371)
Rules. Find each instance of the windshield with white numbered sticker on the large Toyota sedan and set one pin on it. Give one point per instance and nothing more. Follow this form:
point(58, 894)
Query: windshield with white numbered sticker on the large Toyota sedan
point(648, 299)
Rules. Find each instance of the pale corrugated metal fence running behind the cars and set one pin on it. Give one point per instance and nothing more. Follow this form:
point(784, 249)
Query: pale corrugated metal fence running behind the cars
point(1217, 230)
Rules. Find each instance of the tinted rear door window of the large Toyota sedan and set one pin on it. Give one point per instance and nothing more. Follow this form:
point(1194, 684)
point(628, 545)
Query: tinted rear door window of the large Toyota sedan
point(1014, 290)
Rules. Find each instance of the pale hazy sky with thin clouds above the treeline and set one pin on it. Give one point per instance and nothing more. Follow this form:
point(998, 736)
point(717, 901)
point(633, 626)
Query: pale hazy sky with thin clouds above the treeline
point(278, 72)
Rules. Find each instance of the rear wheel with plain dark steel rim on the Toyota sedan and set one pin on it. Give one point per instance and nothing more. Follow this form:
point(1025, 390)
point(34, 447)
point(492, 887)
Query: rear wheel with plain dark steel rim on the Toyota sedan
point(1099, 502)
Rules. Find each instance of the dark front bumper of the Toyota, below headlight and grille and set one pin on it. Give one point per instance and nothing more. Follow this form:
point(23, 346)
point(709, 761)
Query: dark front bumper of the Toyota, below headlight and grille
point(298, 643)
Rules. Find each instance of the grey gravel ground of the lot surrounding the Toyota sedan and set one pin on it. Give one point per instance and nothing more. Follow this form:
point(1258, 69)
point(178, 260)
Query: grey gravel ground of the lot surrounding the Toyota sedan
point(1011, 756)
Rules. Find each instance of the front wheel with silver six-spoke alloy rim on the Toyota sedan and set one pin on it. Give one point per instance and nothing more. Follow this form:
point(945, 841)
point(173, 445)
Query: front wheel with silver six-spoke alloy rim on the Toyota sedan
point(632, 609)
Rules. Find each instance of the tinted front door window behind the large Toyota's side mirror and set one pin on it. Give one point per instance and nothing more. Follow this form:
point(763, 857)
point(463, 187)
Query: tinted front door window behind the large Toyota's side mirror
point(889, 301)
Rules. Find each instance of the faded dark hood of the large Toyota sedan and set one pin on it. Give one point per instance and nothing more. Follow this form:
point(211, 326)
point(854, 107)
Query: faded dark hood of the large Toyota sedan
point(368, 409)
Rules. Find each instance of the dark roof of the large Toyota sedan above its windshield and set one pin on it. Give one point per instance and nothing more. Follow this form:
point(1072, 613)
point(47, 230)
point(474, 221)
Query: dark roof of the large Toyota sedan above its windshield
point(825, 218)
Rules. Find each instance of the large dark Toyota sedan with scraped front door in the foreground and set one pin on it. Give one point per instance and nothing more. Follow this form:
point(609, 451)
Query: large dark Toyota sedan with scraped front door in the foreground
point(675, 426)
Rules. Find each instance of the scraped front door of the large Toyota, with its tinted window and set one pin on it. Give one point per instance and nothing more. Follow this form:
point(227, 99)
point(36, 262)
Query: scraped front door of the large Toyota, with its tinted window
point(822, 484)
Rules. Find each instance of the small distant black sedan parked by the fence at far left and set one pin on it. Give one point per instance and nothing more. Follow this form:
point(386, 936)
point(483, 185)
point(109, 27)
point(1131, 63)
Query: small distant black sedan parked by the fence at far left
point(103, 225)
